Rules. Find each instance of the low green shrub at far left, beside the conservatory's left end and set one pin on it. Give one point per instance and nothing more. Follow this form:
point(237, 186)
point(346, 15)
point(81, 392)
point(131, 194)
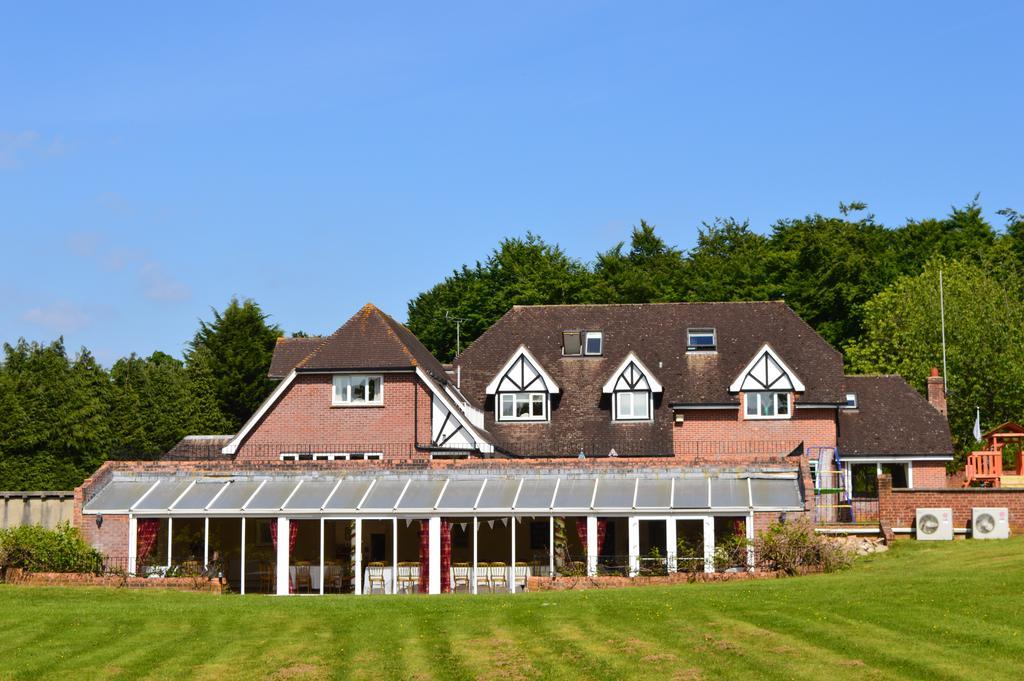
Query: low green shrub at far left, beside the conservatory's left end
point(39, 550)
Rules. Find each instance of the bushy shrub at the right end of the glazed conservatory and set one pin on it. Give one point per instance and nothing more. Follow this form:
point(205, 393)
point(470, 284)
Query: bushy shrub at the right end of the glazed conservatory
point(791, 547)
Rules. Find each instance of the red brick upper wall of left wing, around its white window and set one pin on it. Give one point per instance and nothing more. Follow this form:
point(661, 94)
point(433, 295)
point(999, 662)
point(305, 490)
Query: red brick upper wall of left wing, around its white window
point(305, 417)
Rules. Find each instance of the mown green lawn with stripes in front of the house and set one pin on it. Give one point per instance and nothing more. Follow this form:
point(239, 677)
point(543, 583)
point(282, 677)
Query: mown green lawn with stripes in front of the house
point(922, 611)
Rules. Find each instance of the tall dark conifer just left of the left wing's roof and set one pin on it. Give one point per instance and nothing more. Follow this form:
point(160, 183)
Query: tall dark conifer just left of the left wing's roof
point(239, 345)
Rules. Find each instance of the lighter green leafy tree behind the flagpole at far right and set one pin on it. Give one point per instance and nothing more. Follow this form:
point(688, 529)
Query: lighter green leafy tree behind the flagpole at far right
point(986, 355)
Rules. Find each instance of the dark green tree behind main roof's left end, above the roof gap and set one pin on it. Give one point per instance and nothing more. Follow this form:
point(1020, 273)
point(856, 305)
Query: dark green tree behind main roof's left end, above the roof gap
point(520, 272)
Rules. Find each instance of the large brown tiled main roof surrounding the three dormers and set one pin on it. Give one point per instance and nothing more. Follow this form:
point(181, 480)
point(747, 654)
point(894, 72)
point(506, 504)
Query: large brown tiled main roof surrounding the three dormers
point(658, 334)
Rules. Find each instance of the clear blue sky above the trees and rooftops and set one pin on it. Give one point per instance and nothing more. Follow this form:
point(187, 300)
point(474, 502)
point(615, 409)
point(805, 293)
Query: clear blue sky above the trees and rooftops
point(155, 162)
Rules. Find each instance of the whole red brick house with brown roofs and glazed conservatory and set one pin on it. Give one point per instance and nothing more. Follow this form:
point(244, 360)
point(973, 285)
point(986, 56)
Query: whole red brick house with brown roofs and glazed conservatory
point(594, 439)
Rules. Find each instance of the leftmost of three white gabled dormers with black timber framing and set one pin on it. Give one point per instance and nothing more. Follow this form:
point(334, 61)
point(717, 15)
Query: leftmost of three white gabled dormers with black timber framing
point(523, 390)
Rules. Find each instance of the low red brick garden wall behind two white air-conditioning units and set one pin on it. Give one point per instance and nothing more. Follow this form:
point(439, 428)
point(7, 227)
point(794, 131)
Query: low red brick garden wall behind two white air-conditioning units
point(899, 508)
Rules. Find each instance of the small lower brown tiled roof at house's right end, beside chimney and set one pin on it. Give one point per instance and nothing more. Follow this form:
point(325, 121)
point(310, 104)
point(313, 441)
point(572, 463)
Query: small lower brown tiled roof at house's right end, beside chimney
point(891, 419)
